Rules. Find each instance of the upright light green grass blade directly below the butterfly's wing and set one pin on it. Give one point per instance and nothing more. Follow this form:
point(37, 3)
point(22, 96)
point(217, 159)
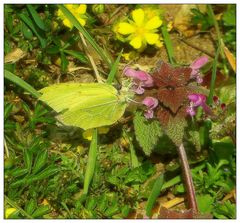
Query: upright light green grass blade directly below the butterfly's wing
point(92, 157)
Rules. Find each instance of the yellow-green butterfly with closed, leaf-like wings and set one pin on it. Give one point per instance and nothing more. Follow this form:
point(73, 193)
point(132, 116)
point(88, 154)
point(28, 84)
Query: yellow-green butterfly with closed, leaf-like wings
point(86, 105)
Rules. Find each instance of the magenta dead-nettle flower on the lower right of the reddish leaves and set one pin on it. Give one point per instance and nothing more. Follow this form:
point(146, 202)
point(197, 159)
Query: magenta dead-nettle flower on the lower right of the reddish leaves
point(197, 100)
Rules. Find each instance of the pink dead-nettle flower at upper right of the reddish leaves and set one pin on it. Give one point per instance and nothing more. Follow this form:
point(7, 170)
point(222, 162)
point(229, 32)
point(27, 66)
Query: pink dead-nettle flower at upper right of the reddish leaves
point(196, 65)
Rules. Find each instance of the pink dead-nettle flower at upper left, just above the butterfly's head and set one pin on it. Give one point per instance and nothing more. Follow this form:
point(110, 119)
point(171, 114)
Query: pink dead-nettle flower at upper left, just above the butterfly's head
point(141, 79)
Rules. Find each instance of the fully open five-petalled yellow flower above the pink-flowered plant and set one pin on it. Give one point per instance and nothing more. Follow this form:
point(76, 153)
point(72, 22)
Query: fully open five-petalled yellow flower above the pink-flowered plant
point(141, 30)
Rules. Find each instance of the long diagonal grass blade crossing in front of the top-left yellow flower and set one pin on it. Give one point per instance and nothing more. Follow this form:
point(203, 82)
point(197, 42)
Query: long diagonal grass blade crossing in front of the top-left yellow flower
point(89, 38)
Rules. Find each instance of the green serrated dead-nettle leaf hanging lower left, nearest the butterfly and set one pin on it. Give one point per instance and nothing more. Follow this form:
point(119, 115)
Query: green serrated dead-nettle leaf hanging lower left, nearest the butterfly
point(147, 132)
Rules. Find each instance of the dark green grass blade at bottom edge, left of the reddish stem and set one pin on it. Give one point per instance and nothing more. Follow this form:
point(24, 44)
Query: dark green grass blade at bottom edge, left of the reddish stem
point(154, 194)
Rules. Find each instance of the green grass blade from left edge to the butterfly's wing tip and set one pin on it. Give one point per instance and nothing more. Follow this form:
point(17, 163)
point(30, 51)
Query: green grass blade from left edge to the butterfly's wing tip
point(21, 83)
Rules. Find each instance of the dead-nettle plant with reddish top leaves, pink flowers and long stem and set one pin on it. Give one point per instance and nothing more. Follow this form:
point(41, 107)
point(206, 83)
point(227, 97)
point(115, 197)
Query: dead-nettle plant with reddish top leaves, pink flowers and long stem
point(173, 96)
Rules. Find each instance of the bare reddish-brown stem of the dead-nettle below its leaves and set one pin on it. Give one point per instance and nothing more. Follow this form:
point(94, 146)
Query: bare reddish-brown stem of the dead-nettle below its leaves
point(188, 179)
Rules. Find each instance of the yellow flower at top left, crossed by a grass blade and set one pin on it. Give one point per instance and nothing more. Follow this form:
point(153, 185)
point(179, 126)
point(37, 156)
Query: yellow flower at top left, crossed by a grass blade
point(77, 10)
